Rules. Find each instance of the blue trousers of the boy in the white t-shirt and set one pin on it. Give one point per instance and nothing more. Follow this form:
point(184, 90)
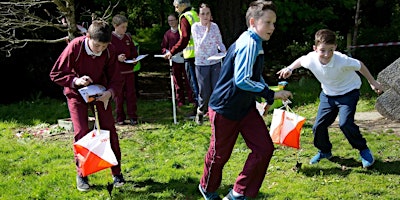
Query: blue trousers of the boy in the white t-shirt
point(328, 110)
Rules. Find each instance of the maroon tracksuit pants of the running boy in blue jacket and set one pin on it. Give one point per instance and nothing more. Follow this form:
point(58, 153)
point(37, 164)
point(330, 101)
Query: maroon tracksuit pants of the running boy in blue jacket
point(223, 138)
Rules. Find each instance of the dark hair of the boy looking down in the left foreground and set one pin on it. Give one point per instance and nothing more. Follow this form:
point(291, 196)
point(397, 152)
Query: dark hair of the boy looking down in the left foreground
point(100, 31)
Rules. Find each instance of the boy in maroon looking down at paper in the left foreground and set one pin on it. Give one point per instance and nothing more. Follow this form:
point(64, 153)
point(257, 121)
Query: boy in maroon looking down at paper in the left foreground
point(90, 60)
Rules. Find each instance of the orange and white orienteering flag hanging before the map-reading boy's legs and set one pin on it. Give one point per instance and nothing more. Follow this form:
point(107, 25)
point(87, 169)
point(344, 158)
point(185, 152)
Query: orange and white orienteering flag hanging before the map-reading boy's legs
point(94, 152)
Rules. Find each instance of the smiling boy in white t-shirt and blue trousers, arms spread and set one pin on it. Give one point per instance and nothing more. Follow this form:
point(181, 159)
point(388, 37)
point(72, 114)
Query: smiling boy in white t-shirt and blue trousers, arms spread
point(340, 93)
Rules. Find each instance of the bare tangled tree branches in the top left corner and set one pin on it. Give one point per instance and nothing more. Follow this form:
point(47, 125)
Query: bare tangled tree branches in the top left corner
point(24, 21)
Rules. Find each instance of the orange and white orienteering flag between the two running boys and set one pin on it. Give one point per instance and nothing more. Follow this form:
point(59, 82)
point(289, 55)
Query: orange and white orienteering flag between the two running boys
point(286, 127)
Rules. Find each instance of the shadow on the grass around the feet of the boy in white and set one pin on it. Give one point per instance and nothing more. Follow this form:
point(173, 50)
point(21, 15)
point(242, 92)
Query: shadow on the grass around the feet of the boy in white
point(347, 165)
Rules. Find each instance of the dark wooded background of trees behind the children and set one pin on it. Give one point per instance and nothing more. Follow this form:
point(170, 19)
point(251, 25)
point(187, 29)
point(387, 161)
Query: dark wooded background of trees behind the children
point(34, 32)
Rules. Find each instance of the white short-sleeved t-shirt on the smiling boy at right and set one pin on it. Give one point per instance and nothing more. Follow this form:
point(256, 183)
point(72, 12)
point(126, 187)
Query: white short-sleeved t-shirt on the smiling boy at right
point(338, 76)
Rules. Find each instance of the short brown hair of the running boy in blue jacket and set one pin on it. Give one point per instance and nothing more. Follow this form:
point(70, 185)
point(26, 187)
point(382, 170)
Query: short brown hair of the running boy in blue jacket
point(257, 8)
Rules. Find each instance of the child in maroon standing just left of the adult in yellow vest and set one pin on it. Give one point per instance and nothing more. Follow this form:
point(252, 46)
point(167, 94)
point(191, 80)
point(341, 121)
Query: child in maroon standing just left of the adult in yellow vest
point(171, 37)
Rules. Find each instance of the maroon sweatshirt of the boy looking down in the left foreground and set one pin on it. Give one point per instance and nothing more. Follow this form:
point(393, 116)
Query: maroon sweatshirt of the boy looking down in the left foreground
point(74, 62)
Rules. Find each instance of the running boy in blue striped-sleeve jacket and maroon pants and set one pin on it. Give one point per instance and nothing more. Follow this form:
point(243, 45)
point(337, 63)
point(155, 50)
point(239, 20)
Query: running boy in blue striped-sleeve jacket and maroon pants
point(232, 109)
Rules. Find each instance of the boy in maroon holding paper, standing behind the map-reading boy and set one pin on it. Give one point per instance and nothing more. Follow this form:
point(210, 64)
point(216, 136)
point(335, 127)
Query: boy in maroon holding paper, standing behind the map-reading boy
point(126, 50)
